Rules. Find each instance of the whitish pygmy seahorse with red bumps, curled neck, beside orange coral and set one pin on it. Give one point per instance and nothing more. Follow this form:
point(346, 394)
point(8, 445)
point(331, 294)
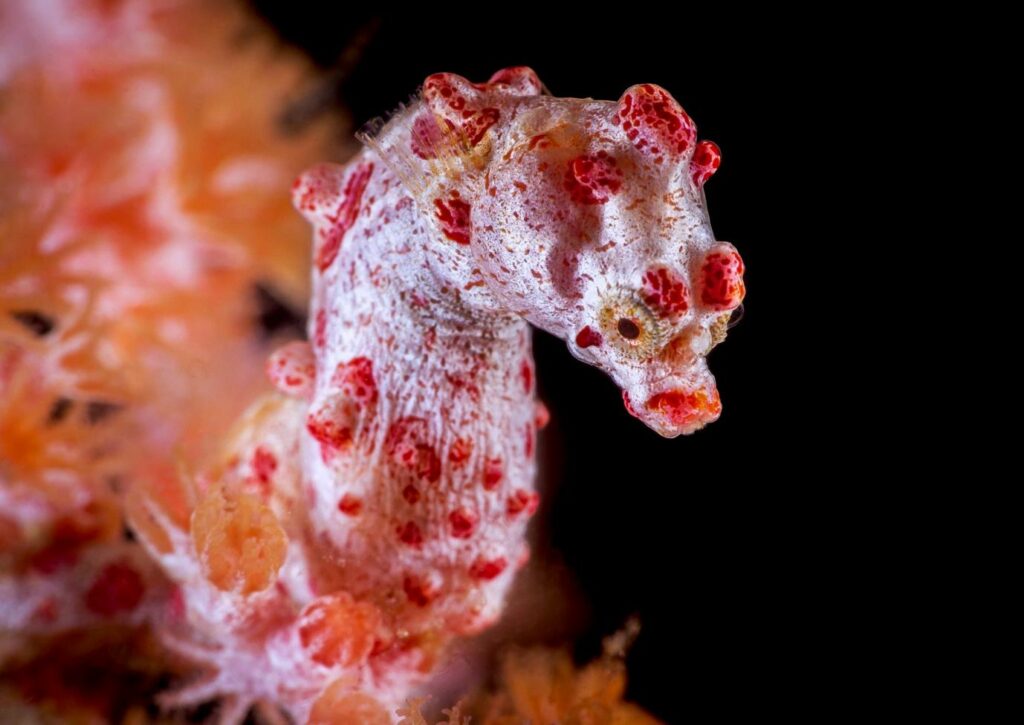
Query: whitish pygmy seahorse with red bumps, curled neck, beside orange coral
point(474, 214)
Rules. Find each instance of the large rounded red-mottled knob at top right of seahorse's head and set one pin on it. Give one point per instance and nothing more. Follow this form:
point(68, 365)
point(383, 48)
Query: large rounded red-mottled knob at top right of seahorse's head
point(655, 122)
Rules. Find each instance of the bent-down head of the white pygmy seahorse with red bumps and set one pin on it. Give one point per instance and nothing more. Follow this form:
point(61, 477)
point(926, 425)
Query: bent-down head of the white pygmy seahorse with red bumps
point(588, 219)
